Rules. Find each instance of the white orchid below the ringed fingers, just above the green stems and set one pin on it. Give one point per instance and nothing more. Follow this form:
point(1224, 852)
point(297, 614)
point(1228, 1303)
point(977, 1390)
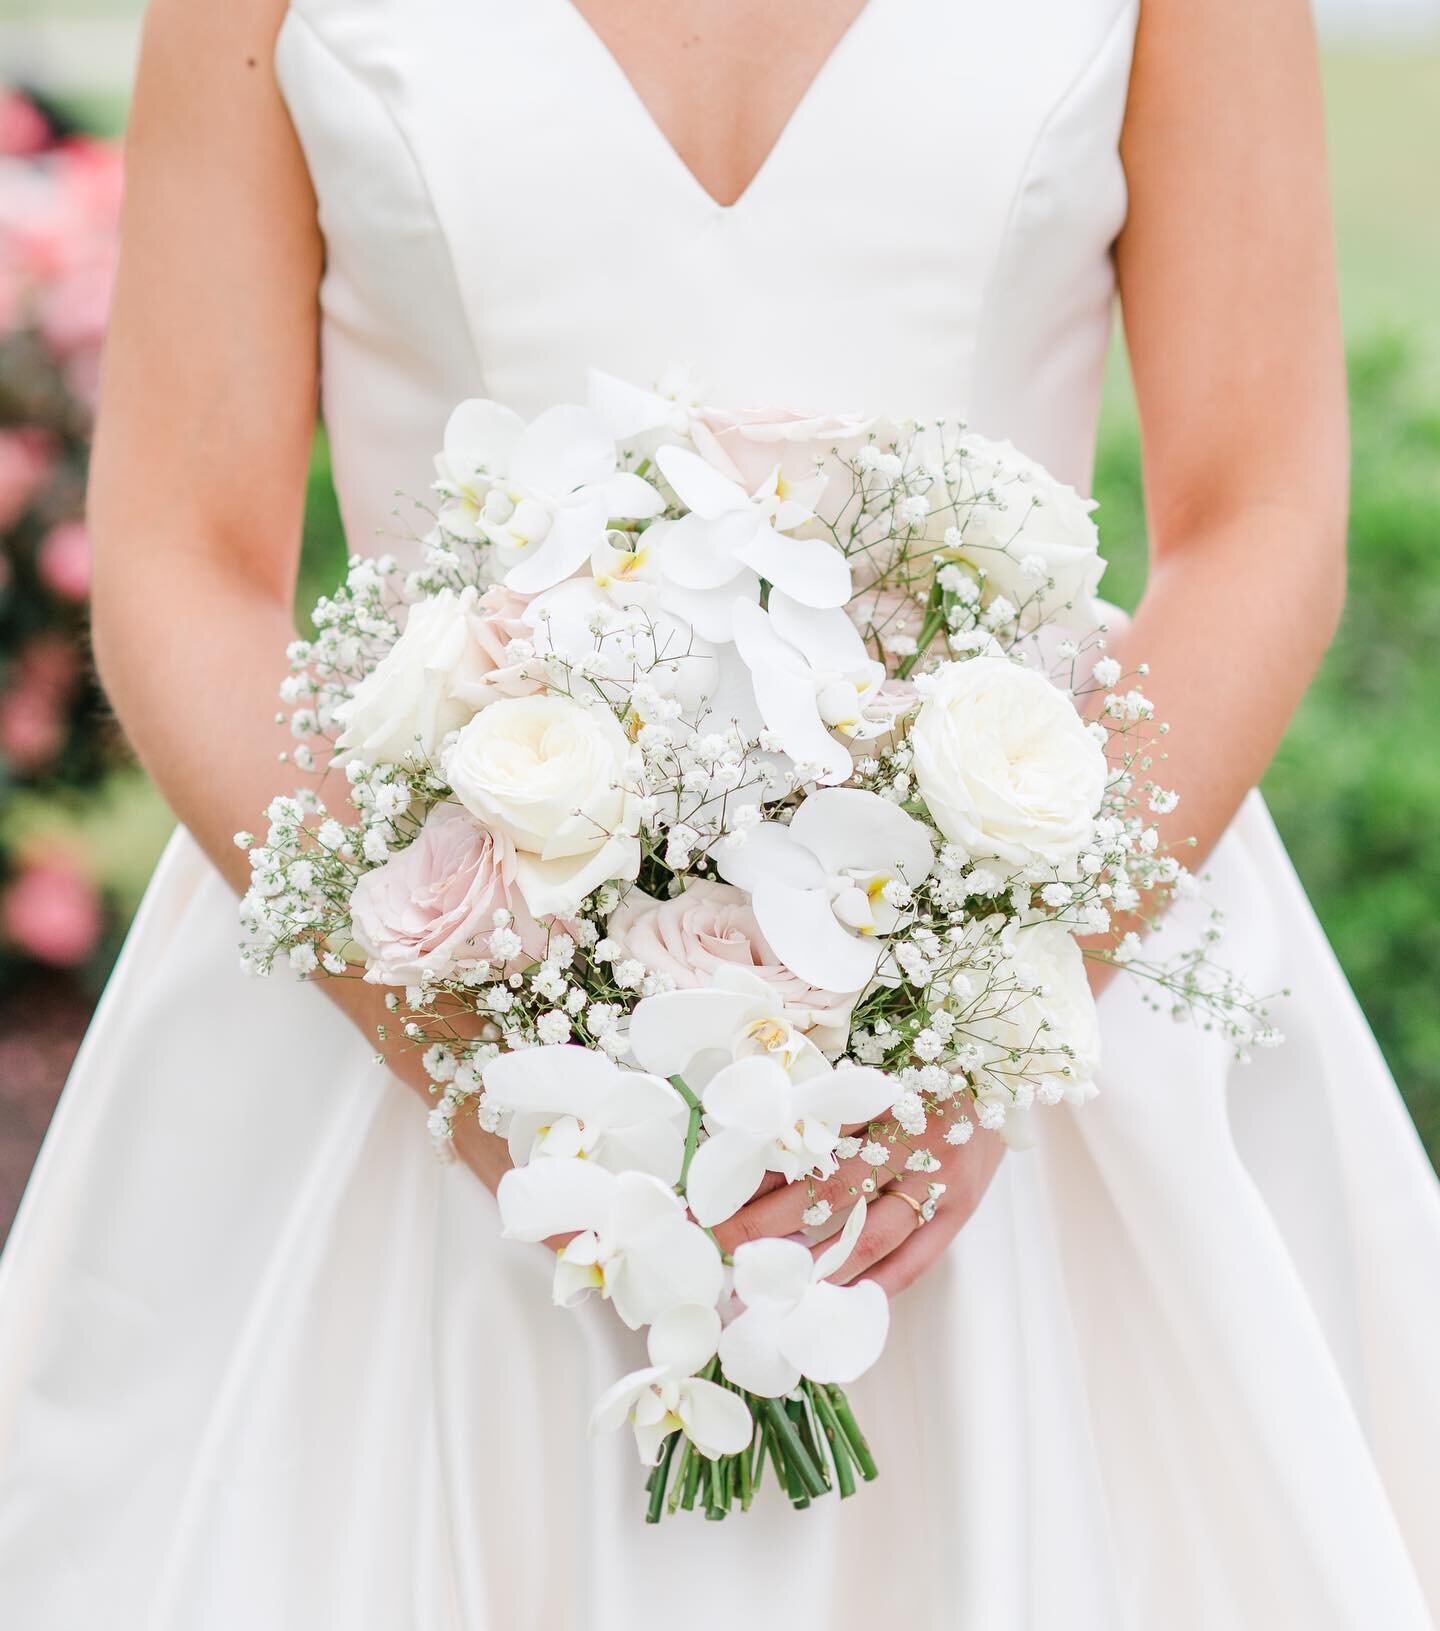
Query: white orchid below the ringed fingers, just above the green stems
point(795, 1324)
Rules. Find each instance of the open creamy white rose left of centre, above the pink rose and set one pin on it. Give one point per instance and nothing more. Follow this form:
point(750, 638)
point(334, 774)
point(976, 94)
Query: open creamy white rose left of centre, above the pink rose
point(547, 772)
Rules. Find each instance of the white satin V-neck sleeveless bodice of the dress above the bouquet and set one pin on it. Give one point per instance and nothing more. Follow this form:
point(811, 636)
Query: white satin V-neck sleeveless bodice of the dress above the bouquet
point(929, 236)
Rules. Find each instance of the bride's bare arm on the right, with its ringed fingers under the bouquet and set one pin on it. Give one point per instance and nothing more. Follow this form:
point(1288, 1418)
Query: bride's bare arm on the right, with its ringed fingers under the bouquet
point(1227, 285)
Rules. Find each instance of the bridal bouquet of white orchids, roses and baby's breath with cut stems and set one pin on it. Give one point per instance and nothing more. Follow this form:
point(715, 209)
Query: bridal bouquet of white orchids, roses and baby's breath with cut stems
point(722, 803)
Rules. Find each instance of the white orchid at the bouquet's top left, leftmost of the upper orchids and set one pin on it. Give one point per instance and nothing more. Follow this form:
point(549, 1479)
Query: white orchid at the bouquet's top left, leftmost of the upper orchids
point(542, 495)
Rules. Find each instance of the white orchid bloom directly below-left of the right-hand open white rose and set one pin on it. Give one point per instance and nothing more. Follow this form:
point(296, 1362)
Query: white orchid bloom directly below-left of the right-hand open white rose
point(828, 888)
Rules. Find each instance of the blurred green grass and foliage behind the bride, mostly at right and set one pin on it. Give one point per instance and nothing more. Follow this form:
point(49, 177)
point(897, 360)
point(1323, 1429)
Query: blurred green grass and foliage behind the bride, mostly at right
point(1356, 787)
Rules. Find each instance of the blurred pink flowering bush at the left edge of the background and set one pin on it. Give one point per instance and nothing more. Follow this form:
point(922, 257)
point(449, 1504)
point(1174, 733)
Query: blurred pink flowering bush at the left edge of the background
point(60, 210)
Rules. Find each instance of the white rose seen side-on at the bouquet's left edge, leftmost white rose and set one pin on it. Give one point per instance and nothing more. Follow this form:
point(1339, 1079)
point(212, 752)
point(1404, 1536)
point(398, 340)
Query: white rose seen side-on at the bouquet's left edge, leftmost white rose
point(423, 689)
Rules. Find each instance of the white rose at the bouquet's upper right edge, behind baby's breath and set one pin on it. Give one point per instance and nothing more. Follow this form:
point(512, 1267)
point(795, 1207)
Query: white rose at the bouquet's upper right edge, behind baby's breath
point(1038, 536)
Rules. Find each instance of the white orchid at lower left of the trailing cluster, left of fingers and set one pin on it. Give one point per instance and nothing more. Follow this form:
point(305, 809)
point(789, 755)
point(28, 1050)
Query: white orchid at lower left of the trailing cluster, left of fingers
point(634, 1242)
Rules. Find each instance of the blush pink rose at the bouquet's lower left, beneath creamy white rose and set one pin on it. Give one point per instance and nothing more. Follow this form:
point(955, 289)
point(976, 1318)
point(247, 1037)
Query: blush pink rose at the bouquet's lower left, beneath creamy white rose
point(431, 908)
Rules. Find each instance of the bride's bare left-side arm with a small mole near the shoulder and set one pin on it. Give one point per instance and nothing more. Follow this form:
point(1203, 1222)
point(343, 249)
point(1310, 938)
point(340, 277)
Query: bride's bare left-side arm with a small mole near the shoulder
point(208, 412)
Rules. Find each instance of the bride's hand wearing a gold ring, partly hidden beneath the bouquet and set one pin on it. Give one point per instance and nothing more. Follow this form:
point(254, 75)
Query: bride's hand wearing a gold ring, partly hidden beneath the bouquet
point(894, 1247)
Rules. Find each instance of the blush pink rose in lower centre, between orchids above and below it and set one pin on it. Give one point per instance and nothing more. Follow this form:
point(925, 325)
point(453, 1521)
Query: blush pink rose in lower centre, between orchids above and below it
point(712, 927)
